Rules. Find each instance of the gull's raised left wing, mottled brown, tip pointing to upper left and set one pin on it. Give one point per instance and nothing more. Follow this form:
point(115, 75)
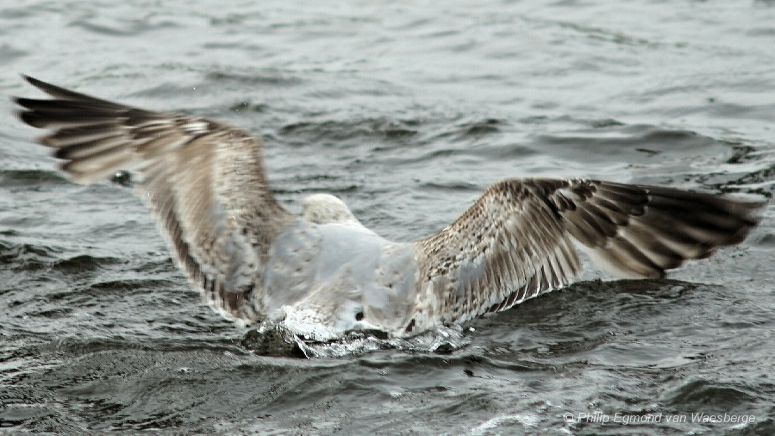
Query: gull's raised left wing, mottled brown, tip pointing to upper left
point(203, 180)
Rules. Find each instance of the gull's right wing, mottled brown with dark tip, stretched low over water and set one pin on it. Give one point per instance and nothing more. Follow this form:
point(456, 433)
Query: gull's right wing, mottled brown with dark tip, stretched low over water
point(515, 242)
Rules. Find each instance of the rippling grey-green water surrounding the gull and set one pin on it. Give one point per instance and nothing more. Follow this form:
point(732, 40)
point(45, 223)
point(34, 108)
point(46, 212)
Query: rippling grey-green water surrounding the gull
point(407, 112)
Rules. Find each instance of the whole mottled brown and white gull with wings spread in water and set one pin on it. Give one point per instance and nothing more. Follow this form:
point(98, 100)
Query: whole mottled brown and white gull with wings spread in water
point(322, 273)
